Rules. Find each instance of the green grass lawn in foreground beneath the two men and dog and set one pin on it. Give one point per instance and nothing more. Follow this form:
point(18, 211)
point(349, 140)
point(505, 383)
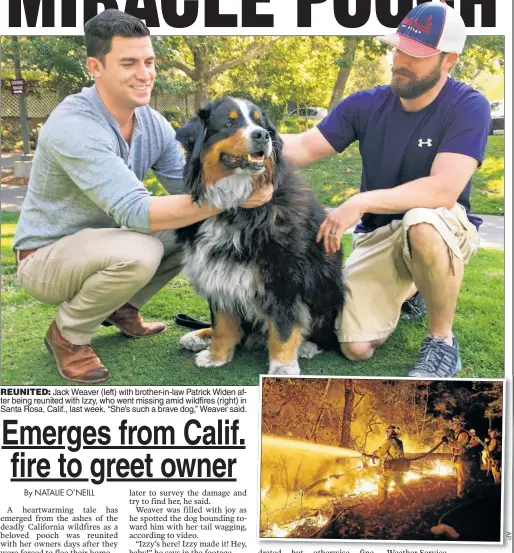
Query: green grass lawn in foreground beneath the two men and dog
point(479, 325)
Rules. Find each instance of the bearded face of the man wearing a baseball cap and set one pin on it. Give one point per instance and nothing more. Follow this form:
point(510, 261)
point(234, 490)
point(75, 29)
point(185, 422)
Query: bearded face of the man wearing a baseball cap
point(412, 77)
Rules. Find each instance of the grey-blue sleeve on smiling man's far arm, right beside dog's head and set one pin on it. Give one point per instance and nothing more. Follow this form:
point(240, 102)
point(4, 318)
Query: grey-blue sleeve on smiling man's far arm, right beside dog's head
point(169, 168)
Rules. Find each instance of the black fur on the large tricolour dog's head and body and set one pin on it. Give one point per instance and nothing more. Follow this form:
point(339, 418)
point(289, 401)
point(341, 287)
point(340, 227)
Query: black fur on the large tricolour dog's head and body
point(299, 284)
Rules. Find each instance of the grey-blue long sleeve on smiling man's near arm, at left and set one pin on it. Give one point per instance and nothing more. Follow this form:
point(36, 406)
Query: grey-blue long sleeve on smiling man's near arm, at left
point(87, 153)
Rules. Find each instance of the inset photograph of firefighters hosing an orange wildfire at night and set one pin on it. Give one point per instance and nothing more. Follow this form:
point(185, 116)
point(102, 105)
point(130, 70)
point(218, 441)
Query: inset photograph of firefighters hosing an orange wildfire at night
point(375, 459)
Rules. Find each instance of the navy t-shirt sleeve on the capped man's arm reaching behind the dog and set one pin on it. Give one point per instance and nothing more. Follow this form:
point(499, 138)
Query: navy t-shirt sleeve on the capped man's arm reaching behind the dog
point(342, 125)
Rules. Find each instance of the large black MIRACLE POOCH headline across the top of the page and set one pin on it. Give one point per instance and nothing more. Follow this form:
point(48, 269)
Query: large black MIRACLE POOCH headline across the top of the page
point(181, 15)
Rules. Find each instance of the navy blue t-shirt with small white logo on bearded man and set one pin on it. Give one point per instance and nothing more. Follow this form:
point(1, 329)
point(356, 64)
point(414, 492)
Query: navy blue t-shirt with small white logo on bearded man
point(397, 146)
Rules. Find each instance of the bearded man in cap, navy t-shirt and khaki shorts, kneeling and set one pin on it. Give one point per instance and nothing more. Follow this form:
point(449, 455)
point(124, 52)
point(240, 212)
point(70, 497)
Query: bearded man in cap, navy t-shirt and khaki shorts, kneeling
point(421, 139)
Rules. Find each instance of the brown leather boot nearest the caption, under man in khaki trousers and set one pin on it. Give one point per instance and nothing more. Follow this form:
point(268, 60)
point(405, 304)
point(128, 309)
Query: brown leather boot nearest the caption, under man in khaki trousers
point(74, 363)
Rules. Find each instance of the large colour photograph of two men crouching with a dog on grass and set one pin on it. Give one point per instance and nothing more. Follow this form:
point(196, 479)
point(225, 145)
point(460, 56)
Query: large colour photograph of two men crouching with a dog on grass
point(204, 210)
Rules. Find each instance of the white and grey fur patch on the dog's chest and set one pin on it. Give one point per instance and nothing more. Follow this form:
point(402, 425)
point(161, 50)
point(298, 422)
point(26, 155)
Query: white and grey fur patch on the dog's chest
point(229, 284)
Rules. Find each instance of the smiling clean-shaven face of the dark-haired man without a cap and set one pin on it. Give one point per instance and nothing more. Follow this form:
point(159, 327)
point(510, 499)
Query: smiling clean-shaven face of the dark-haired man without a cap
point(128, 71)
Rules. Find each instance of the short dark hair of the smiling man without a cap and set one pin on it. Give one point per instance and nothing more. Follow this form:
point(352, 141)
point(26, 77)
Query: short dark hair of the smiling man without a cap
point(100, 30)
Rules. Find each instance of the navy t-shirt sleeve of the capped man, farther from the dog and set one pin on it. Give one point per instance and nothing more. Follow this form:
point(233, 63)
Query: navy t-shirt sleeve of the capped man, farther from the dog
point(468, 128)
